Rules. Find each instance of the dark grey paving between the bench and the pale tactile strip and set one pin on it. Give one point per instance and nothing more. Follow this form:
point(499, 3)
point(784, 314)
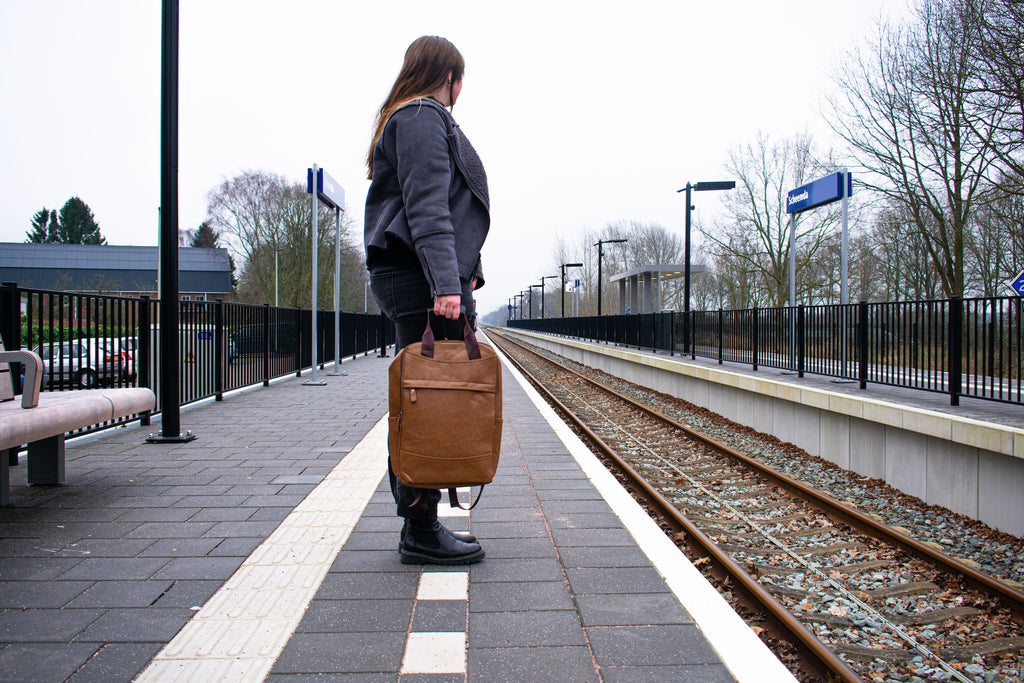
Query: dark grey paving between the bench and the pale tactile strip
point(97, 576)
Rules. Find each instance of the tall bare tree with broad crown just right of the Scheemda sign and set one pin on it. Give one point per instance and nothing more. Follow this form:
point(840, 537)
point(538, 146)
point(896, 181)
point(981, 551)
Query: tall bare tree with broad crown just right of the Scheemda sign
point(914, 111)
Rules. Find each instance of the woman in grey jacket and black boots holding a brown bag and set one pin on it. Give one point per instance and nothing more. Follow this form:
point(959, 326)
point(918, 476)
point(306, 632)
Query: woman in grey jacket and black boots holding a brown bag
point(426, 219)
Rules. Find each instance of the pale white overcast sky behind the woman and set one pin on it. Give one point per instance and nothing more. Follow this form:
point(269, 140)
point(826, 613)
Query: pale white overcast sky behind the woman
point(584, 112)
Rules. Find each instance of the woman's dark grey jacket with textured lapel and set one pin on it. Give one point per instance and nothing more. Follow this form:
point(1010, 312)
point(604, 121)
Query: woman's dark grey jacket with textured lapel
point(430, 192)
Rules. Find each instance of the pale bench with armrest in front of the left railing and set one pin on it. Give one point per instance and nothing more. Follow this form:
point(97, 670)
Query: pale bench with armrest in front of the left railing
point(42, 420)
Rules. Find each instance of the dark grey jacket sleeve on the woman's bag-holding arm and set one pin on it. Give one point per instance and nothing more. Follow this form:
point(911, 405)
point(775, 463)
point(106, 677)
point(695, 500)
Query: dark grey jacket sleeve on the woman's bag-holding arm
point(424, 167)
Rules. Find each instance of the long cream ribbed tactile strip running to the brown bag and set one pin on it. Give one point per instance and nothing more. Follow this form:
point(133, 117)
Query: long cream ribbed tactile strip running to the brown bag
point(242, 630)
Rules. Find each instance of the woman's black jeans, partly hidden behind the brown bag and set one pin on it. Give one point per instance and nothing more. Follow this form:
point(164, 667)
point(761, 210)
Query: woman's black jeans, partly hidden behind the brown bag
point(405, 297)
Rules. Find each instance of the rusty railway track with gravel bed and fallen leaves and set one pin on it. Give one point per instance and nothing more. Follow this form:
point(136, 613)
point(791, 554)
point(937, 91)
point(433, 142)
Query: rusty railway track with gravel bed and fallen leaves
point(858, 600)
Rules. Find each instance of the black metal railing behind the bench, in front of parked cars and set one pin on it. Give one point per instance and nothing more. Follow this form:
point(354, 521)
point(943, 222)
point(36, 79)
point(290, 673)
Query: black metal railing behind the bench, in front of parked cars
point(93, 340)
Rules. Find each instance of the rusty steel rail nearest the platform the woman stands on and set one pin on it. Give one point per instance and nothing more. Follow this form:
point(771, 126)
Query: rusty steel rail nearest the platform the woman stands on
point(819, 655)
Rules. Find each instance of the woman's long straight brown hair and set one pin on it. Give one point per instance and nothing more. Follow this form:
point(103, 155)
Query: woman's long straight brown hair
point(429, 62)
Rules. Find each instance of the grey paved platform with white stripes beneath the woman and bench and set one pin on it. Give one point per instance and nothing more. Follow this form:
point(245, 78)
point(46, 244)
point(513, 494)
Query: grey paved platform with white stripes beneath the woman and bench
point(267, 550)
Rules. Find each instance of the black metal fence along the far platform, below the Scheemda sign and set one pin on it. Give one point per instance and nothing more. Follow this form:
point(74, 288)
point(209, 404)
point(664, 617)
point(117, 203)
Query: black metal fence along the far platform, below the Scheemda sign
point(962, 348)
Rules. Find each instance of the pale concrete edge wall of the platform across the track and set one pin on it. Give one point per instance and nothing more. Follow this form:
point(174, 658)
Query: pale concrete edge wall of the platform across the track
point(971, 467)
